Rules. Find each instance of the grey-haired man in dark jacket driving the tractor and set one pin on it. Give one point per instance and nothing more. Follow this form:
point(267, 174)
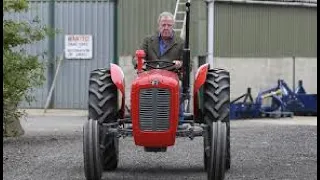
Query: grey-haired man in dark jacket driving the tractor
point(165, 45)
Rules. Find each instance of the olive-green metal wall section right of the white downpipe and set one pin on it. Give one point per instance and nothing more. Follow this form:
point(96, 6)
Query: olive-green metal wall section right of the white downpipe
point(247, 30)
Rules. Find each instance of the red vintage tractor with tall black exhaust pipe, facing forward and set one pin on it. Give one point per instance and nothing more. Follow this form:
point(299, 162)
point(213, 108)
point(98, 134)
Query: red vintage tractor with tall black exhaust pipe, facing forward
point(154, 114)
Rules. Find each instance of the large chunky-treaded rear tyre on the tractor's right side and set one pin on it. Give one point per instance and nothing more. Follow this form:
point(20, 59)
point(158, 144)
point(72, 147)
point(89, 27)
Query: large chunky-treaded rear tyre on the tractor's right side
point(216, 108)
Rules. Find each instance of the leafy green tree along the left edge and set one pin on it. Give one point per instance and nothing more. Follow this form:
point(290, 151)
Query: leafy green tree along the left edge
point(21, 72)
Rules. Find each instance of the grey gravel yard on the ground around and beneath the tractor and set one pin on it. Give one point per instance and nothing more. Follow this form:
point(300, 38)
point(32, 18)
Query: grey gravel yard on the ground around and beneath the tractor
point(265, 149)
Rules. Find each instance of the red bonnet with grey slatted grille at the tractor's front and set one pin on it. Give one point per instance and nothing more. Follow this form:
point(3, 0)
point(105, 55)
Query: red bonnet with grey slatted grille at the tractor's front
point(155, 108)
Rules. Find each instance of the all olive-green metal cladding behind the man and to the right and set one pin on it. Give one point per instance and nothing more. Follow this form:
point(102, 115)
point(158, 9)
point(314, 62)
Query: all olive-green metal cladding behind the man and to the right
point(241, 30)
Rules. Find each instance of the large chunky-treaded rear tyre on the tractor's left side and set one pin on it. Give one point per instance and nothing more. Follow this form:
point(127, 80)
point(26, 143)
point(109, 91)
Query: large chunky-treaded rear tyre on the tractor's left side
point(103, 108)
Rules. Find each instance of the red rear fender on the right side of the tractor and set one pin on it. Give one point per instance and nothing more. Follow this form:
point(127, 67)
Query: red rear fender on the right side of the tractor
point(200, 79)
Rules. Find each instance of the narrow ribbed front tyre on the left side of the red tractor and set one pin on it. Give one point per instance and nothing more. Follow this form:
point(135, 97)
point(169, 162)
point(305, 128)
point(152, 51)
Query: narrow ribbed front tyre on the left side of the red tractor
point(91, 150)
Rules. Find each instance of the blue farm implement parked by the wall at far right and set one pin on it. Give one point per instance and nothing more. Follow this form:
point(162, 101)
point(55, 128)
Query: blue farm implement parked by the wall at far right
point(281, 102)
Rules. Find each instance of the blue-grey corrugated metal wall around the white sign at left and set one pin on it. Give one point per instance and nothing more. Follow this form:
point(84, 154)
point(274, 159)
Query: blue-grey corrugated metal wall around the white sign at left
point(94, 17)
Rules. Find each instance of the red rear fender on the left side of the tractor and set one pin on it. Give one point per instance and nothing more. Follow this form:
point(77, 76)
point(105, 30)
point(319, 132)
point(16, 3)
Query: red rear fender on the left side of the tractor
point(117, 77)
